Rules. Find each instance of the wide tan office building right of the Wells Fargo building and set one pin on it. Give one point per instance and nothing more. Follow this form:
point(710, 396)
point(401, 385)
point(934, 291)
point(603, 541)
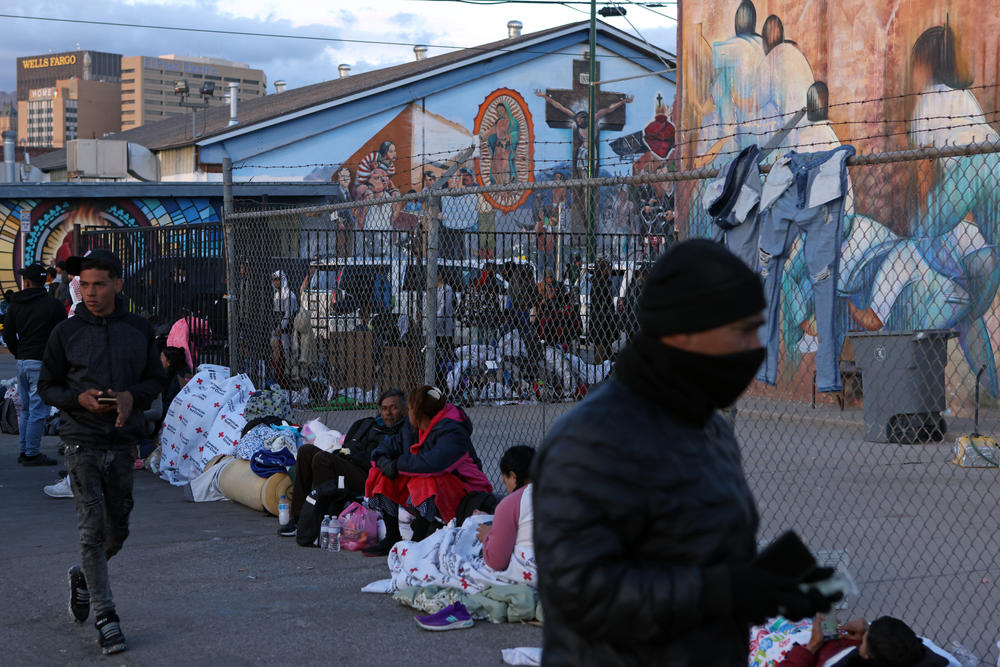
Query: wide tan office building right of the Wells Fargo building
point(148, 85)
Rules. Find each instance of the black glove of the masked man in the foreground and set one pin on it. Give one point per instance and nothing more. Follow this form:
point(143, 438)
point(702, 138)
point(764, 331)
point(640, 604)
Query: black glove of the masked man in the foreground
point(759, 594)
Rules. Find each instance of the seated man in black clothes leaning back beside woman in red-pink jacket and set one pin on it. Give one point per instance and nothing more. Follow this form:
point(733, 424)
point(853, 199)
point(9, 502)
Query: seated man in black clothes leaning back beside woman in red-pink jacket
point(314, 466)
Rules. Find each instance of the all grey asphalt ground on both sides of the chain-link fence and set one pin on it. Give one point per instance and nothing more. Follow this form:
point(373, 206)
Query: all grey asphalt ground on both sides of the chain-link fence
point(212, 582)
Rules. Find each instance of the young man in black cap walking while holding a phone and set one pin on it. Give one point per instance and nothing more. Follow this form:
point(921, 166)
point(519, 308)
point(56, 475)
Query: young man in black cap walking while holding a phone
point(101, 368)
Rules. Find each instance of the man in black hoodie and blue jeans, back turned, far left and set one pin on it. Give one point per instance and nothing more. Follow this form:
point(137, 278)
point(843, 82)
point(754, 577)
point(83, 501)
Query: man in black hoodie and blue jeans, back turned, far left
point(32, 316)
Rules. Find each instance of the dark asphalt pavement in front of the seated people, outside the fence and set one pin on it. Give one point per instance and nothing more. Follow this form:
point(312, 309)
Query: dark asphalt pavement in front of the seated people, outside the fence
point(208, 583)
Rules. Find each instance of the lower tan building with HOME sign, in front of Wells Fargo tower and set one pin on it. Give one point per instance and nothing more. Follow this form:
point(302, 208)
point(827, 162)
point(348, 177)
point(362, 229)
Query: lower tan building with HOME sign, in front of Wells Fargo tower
point(69, 109)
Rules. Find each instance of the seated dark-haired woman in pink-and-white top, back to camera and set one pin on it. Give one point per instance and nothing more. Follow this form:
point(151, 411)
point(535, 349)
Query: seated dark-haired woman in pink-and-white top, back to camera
point(513, 520)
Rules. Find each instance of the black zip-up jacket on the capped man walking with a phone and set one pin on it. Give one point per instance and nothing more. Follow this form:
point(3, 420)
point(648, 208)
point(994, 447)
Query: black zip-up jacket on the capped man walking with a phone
point(117, 352)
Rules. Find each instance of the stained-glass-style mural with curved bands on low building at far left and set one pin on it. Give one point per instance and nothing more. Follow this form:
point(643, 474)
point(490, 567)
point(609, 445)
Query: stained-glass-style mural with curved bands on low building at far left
point(52, 222)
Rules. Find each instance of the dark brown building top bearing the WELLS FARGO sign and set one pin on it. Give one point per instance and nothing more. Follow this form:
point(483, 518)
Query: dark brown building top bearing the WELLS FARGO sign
point(40, 72)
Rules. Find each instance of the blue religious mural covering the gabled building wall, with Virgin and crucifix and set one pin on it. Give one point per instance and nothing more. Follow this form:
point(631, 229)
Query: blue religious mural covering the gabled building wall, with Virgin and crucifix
point(405, 149)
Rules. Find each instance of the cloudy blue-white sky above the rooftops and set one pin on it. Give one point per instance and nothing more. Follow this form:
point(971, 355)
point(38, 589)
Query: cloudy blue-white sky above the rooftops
point(299, 62)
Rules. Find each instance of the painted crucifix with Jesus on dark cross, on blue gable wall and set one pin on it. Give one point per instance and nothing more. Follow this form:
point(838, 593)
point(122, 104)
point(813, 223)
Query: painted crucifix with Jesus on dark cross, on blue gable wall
point(568, 109)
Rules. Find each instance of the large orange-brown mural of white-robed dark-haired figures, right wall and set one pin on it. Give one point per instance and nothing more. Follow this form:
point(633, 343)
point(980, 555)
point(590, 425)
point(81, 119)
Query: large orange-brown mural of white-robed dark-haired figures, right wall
point(919, 242)
